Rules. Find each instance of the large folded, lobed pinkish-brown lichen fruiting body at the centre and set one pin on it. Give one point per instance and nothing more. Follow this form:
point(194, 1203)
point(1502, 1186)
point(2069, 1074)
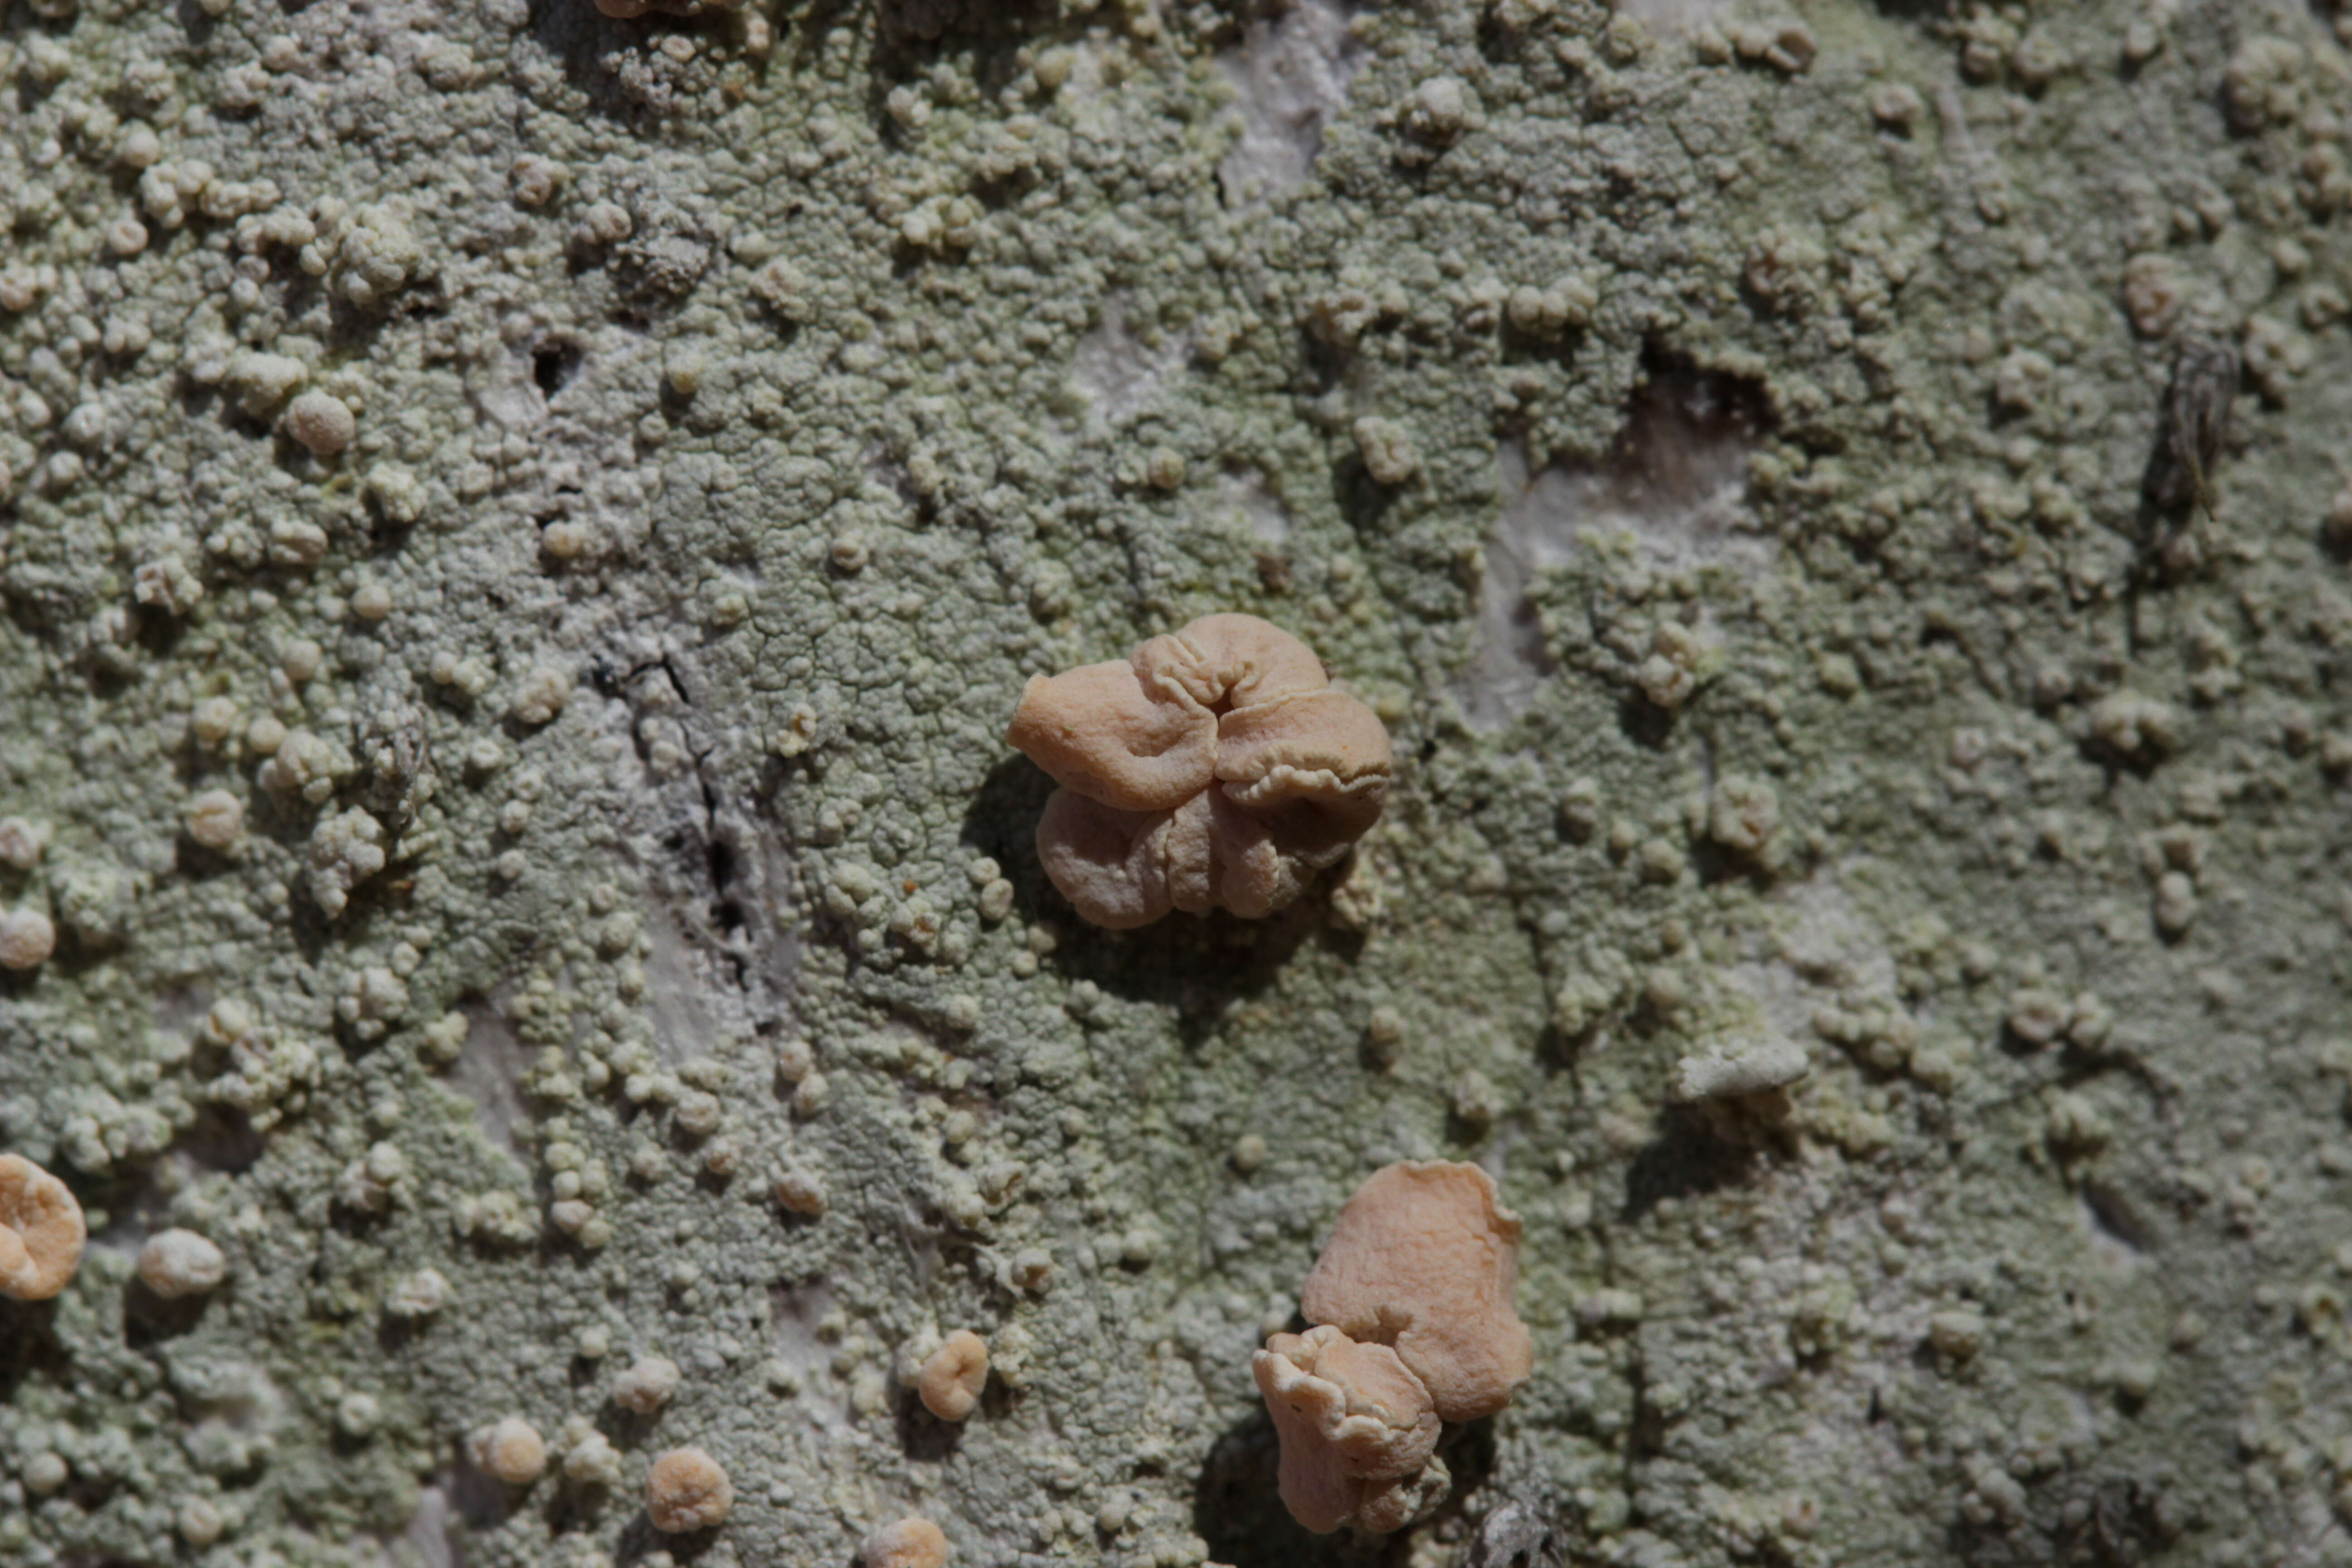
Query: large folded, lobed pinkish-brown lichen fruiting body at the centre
point(1215, 770)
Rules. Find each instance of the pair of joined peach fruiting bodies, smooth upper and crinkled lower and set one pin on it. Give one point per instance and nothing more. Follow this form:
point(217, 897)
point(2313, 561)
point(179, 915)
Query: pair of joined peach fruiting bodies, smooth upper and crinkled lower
point(1415, 1327)
